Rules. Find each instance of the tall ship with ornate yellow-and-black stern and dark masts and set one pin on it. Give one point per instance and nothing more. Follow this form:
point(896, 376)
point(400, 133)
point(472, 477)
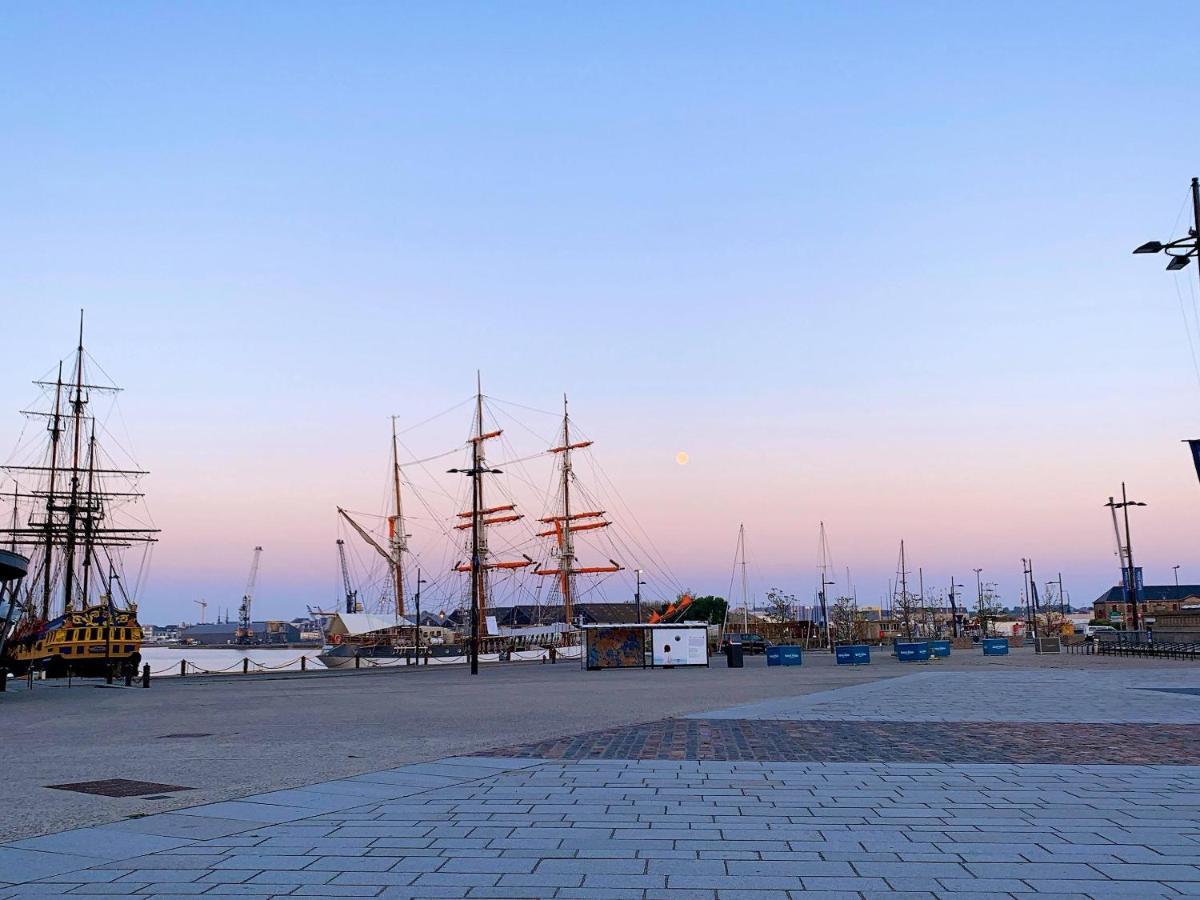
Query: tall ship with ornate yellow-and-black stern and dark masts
point(77, 513)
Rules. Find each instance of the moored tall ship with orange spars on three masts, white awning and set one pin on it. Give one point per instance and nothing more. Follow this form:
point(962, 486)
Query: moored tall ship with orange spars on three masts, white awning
point(548, 553)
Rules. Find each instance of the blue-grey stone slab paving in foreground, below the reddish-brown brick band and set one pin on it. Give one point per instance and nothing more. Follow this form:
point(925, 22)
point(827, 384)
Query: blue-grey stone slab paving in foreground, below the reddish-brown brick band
point(692, 829)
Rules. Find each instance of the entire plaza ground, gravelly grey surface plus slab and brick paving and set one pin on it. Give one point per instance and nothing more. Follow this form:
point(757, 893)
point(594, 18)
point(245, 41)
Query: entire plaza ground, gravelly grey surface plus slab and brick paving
point(1064, 776)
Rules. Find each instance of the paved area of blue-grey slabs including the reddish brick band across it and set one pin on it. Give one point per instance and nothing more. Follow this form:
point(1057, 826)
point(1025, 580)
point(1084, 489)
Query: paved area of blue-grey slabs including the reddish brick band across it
point(879, 808)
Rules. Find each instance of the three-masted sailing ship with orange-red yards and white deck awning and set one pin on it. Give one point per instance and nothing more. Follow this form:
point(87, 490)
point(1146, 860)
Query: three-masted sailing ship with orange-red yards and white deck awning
point(353, 637)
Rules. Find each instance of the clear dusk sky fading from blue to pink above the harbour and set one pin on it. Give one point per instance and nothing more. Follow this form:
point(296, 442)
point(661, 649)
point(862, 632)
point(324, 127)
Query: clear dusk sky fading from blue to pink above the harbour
point(867, 265)
